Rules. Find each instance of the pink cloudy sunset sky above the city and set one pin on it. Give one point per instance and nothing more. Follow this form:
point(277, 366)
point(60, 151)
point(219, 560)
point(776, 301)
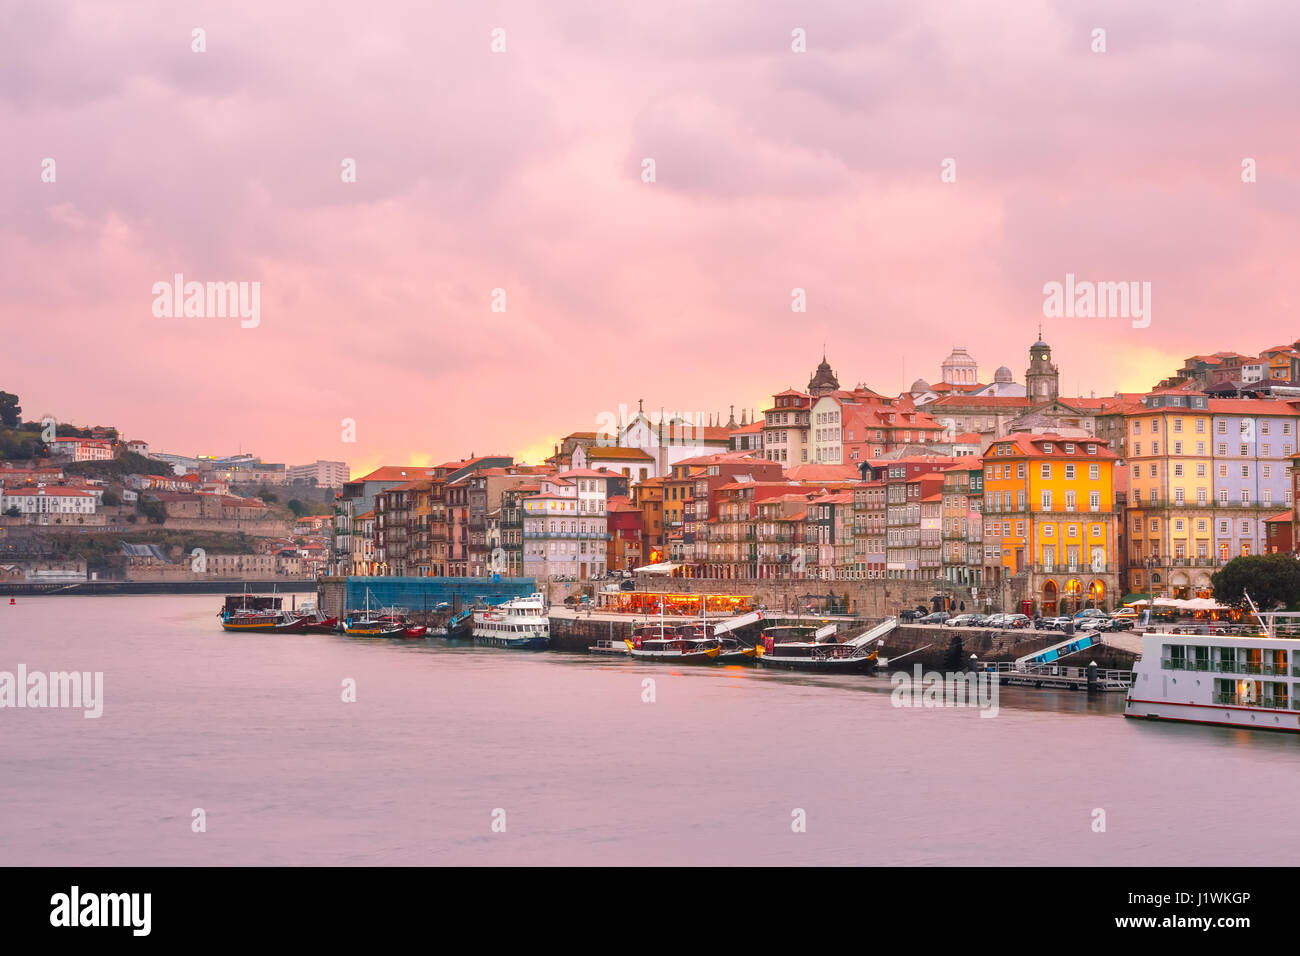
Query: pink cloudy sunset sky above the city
point(522, 171)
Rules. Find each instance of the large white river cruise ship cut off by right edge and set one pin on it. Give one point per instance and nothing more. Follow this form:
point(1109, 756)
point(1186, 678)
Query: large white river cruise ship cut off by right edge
point(1228, 681)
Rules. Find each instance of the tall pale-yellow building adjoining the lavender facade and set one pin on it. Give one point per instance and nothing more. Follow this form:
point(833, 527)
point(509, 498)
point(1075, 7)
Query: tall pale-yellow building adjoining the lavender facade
point(1171, 518)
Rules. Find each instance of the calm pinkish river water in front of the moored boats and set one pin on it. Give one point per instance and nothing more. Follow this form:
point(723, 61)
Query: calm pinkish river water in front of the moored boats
point(253, 730)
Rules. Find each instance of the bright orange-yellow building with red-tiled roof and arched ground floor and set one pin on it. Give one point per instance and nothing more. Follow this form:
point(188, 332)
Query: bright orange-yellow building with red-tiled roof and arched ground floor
point(1050, 524)
